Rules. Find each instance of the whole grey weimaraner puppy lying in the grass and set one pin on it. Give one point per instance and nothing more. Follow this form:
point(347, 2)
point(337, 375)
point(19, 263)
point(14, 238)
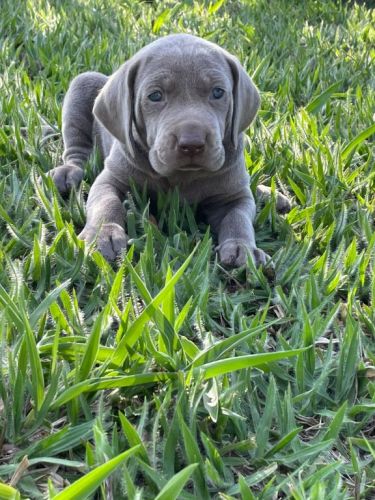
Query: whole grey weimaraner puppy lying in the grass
point(172, 115)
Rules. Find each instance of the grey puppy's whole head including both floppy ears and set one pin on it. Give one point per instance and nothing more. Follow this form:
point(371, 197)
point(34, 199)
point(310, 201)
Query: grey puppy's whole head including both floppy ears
point(183, 99)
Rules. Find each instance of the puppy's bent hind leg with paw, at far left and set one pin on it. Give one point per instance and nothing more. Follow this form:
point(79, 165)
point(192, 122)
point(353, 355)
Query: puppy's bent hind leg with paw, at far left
point(77, 129)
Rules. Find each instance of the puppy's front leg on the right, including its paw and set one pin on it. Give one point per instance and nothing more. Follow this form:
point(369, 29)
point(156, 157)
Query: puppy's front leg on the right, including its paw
point(233, 223)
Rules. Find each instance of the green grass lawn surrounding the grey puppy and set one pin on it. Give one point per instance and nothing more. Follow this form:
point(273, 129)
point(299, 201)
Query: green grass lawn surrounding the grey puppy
point(167, 376)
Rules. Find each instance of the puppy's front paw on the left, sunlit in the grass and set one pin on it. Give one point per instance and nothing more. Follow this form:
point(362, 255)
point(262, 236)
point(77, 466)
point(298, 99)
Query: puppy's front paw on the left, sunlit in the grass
point(111, 239)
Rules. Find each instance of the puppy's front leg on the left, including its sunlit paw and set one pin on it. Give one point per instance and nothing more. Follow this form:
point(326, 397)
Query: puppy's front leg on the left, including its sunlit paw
point(105, 216)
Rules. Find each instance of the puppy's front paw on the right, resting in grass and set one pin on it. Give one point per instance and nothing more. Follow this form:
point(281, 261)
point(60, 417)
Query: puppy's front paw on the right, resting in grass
point(233, 252)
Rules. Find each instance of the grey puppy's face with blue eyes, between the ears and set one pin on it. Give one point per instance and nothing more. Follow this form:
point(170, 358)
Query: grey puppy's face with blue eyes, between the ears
point(183, 108)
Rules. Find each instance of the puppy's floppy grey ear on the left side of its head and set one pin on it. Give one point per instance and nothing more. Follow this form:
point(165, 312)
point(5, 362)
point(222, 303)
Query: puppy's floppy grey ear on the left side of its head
point(114, 106)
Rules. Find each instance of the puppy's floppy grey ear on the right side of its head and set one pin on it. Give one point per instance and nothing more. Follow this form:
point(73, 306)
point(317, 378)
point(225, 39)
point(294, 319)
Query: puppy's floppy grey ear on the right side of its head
point(246, 99)
